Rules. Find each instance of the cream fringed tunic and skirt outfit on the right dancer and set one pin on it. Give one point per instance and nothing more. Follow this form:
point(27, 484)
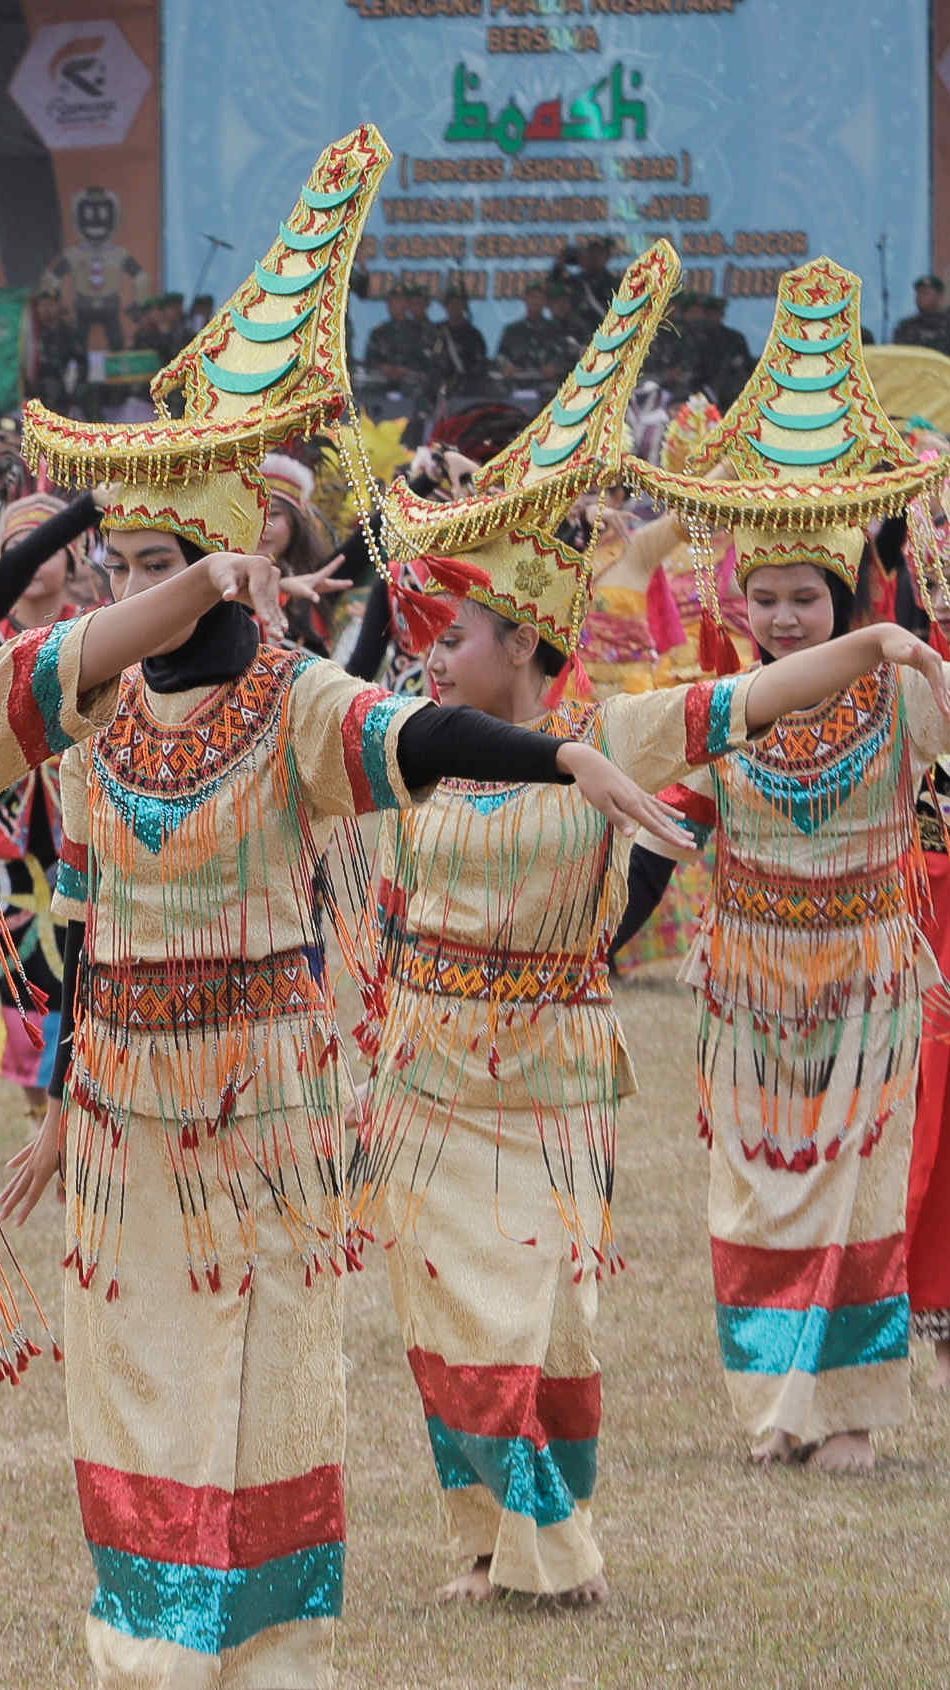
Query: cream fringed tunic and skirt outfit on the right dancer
point(809, 973)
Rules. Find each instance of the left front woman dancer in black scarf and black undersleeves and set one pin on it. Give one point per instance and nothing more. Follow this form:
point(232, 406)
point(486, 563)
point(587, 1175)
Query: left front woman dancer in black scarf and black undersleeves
point(204, 1106)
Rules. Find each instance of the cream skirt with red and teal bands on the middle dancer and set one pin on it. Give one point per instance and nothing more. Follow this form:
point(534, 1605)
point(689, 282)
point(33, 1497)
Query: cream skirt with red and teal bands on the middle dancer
point(498, 1324)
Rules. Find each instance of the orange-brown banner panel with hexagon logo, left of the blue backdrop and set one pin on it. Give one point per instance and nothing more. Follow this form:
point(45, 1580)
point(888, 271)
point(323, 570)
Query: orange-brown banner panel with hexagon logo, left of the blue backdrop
point(80, 205)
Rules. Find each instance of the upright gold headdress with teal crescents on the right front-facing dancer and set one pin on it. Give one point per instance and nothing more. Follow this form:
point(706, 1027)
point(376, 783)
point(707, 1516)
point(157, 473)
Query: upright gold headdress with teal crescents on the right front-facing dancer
point(812, 450)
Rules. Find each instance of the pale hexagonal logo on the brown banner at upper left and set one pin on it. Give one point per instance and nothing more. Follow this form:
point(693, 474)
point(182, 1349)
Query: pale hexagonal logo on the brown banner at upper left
point(80, 85)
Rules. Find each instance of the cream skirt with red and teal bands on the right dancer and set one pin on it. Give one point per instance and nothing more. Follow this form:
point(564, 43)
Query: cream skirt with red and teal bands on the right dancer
point(809, 1231)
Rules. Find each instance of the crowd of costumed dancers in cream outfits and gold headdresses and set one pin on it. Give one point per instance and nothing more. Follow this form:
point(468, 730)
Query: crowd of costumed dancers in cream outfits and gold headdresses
point(557, 660)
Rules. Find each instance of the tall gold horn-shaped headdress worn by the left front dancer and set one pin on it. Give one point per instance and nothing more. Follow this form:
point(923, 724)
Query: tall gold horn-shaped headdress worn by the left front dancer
point(270, 364)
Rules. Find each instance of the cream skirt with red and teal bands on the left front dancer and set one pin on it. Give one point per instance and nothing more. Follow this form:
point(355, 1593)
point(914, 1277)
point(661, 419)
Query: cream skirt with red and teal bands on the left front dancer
point(209, 1434)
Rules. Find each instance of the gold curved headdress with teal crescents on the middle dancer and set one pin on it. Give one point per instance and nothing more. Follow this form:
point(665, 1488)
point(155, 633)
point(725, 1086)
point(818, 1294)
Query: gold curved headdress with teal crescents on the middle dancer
point(521, 496)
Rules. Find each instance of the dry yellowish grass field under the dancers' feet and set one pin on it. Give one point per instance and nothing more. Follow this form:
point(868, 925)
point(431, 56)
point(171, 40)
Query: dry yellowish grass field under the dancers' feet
point(721, 1576)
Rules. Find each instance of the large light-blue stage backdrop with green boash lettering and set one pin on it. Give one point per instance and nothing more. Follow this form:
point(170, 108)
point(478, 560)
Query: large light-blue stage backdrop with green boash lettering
point(753, 133)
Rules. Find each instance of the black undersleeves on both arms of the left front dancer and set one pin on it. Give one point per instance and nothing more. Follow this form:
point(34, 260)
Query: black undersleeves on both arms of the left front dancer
point(435, 743)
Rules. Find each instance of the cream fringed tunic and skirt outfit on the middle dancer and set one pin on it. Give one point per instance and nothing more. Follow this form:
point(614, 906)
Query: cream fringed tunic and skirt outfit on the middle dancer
point(493, 1120)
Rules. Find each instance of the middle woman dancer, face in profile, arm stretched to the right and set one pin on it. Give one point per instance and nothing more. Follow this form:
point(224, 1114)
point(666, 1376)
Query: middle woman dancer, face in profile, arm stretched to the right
point(491, 1115)
